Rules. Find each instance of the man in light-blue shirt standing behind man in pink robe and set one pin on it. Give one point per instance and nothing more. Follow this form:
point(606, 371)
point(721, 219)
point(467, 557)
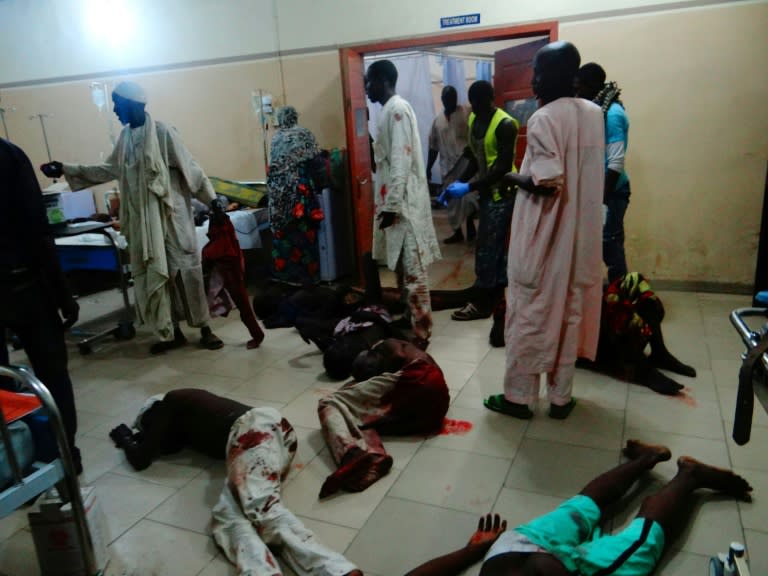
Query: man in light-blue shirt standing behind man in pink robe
point(590, 84)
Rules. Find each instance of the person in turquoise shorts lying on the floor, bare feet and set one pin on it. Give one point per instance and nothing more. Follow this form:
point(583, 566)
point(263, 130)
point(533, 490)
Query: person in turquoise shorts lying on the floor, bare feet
point(566, 542)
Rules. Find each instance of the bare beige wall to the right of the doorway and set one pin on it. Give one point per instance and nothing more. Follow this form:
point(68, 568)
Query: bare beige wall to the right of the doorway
point(694, 86)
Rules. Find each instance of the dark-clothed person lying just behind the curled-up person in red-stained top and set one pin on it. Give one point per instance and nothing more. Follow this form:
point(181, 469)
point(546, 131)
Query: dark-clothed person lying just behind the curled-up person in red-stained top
point(342, 339)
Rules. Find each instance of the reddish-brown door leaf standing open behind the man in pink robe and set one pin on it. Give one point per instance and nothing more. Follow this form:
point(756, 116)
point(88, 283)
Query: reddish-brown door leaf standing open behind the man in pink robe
point(512, 86)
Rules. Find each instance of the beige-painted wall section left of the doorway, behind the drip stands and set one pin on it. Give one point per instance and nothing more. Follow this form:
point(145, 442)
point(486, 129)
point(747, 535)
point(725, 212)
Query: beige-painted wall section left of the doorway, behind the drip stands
point(210, 106)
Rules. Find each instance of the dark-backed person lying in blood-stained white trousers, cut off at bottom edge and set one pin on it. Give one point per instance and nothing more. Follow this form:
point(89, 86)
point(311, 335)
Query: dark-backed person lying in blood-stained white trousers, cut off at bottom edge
point(259, 445)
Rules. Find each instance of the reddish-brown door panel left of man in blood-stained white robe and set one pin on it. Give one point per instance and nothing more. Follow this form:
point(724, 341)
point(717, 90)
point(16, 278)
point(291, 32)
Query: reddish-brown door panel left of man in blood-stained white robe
point(356, 116)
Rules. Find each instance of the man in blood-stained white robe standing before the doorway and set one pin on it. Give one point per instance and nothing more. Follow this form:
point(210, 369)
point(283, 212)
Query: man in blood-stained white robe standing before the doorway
point(404, 234)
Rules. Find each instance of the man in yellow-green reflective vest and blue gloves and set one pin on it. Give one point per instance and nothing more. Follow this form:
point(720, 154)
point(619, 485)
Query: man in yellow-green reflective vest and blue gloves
point(492, 140)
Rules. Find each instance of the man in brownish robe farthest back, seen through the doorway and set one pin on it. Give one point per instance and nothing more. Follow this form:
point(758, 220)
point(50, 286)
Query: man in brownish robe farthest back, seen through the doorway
point(448, 139)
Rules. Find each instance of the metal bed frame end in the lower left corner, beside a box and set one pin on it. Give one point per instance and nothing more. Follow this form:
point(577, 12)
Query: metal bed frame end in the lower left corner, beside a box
point(42, 476)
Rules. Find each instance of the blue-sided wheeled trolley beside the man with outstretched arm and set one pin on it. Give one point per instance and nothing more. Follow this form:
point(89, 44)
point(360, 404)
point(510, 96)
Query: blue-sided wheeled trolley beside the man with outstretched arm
point(104, 255)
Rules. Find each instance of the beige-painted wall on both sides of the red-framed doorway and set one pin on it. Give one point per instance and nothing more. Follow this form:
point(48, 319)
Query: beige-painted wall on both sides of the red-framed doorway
point(692, 82)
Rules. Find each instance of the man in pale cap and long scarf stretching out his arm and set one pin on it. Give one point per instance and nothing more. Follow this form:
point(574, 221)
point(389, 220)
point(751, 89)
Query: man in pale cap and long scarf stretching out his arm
point(158, 178)
